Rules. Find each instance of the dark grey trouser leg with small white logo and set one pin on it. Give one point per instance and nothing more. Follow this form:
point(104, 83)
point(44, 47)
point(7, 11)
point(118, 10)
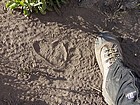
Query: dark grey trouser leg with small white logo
point(123, 85)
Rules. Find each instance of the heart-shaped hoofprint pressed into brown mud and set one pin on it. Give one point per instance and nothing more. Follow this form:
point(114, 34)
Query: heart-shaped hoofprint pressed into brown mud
point(53, 53)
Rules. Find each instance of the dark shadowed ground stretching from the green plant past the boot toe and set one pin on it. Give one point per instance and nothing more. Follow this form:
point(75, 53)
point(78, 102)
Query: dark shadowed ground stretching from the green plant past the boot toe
point(93, 21)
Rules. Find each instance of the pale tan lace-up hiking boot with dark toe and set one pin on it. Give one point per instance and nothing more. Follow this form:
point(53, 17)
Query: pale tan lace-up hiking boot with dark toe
point(107, 51)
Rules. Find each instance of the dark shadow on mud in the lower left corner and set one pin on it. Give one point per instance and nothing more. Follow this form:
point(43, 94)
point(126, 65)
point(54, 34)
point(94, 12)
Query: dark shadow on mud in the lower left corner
point(10, 93)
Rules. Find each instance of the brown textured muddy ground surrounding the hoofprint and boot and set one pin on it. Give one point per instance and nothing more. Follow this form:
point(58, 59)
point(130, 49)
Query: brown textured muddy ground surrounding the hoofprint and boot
point(49, 59)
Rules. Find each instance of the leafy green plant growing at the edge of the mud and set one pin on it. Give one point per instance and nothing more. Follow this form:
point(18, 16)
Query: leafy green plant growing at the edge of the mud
point(29, 6)
